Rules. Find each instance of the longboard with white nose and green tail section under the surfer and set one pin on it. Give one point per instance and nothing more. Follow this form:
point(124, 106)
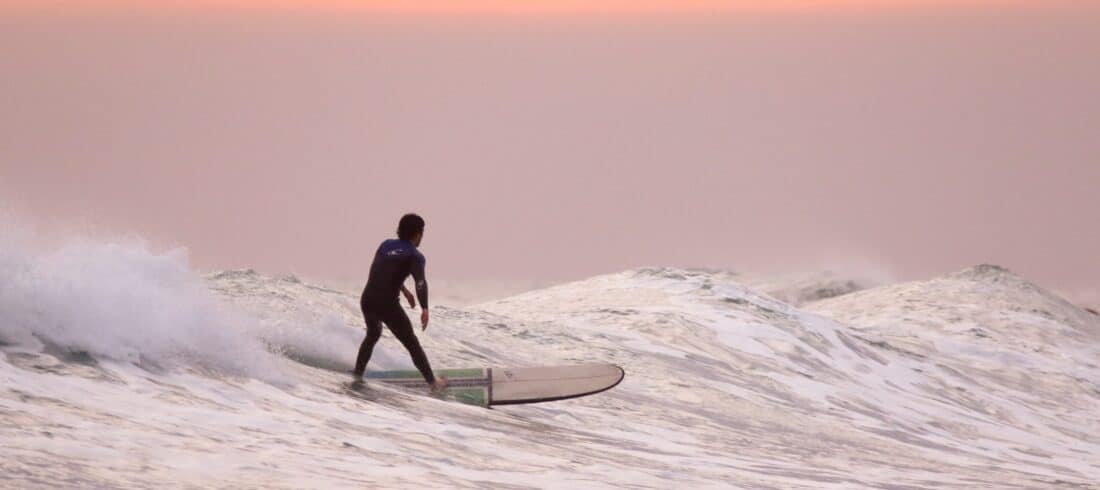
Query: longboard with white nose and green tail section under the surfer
point(490, 387)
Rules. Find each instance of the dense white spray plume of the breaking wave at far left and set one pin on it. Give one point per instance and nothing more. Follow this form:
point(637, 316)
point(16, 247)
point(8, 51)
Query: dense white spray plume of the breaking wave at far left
point(122, 301)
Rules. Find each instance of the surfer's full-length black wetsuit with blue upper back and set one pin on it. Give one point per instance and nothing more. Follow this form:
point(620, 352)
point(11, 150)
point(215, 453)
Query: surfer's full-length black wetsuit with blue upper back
point(393, 263)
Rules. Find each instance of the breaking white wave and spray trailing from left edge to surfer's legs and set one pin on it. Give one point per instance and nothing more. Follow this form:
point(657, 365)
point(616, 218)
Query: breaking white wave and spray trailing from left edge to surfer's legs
point(119, 300)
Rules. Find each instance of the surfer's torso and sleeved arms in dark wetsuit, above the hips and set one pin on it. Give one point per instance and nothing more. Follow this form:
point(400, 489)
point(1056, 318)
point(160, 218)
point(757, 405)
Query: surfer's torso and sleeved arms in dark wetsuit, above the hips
point(393, 263)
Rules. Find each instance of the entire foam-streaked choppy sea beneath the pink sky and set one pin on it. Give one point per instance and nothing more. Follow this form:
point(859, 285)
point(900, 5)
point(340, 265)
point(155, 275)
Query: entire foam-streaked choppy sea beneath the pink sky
point(123, 367)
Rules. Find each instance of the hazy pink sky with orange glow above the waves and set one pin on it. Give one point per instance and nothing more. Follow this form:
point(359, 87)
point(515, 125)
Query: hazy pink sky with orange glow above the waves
point(559, 148)
